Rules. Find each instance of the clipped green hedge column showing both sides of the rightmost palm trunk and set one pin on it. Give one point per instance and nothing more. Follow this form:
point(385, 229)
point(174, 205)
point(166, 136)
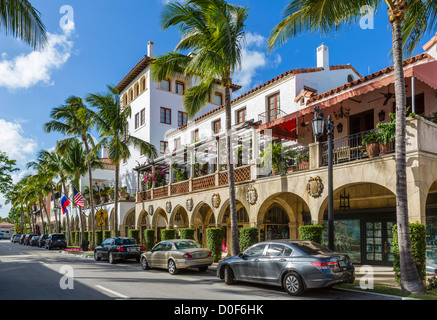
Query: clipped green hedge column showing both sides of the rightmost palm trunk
point(418, 247)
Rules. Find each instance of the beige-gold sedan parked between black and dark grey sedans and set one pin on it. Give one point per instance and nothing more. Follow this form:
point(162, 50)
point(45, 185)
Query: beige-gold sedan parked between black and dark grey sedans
point(177, 254)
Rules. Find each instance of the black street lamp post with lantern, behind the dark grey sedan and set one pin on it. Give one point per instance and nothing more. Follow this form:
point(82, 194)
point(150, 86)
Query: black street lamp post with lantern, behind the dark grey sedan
point(320, 123)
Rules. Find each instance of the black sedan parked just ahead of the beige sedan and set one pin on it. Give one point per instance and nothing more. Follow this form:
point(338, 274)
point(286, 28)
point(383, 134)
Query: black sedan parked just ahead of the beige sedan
point(118, 249)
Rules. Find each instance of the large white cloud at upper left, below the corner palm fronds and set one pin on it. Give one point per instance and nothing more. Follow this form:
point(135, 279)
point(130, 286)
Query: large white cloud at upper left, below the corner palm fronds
point(27, 70)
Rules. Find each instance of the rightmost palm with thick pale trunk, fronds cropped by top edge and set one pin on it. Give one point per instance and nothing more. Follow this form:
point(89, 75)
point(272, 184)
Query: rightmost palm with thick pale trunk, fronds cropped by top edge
point(410, 20)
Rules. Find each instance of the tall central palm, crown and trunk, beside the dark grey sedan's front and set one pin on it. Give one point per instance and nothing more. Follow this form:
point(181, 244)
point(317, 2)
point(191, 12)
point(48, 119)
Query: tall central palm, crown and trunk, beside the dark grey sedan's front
point(214, 31)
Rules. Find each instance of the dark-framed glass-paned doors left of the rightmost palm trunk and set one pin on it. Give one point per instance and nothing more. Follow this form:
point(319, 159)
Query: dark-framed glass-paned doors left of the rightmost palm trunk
point(378, 239)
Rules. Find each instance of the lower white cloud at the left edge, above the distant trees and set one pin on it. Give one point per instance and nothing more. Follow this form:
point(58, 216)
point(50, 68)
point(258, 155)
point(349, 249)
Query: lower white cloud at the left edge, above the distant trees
point(15, 144)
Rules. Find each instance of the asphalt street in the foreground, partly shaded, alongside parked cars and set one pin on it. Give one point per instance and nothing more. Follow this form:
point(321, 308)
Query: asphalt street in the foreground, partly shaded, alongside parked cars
point(31, 273)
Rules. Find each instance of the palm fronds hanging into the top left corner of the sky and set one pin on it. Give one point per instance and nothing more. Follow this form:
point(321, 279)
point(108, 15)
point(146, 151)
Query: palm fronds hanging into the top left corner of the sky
point(19, 19)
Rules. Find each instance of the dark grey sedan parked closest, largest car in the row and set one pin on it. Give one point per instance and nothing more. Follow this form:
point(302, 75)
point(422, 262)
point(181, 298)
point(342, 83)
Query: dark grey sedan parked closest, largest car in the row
point(296, 265)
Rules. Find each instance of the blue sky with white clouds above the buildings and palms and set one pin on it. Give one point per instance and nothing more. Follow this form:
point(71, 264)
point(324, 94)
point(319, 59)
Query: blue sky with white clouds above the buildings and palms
point(110, 37)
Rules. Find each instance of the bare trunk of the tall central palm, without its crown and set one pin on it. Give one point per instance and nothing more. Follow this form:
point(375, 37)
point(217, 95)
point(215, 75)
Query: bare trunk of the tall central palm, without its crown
point(235, 244)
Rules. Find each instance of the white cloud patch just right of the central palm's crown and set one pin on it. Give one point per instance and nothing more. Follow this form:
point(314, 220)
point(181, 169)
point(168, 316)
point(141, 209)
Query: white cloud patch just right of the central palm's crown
point(254, 57)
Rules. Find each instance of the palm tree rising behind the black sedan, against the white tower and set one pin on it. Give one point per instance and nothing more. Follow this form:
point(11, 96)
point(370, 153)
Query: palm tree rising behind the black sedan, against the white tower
point(112, 123)
